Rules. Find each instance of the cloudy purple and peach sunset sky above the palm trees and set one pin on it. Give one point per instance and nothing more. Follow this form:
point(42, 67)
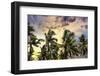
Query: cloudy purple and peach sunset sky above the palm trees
point(41, 24)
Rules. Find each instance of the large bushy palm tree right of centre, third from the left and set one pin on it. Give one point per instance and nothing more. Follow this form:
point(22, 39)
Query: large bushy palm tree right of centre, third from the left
point(69, 44)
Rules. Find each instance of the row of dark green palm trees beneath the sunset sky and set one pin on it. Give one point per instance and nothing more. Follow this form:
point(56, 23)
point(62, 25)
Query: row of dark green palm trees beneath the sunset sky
point(51, 50)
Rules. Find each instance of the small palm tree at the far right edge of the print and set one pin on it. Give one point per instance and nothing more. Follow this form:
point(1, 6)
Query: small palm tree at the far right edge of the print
point(83, 45)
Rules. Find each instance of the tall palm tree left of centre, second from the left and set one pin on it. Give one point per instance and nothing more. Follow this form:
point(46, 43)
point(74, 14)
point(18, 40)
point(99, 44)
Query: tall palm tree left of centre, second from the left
point(49, 50)
